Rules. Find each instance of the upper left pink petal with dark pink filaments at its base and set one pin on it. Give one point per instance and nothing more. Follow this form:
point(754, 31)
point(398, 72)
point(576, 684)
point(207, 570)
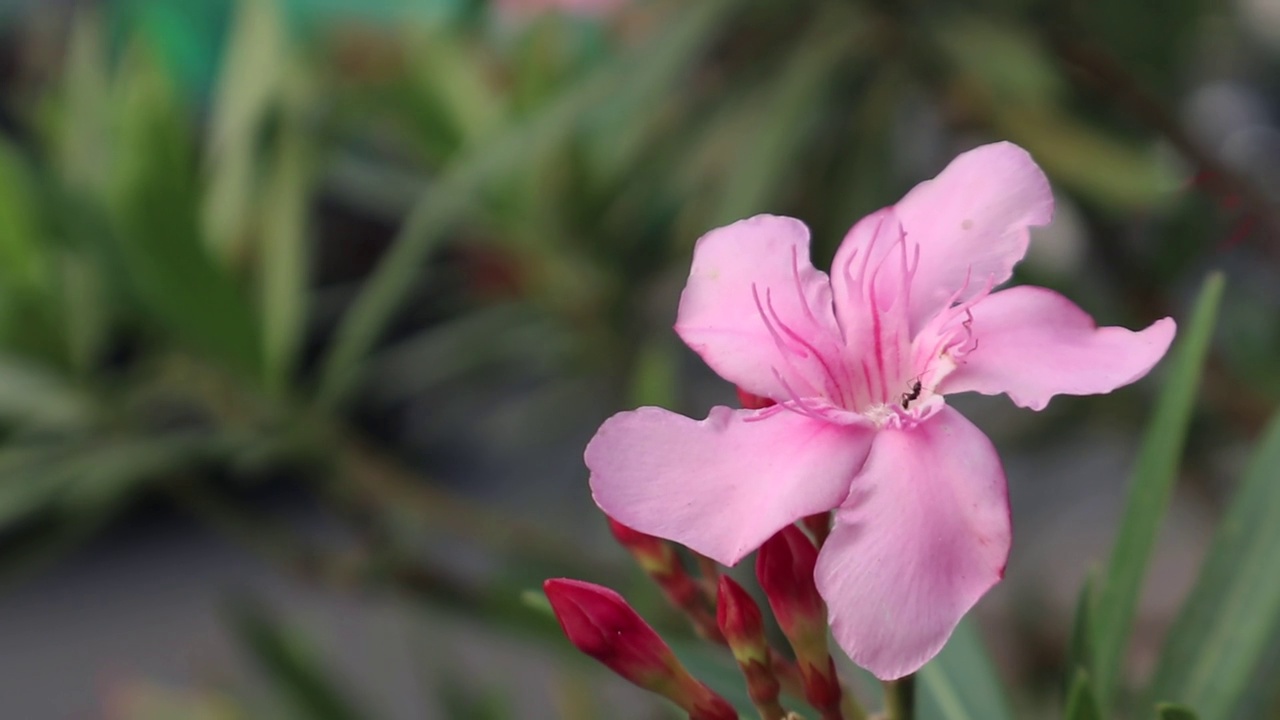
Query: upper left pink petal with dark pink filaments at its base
point(758, 312)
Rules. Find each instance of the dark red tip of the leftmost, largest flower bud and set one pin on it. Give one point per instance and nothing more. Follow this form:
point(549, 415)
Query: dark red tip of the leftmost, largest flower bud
point(601, 625)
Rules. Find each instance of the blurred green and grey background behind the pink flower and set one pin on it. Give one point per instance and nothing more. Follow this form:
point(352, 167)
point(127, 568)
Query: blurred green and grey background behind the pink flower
point(308, 309)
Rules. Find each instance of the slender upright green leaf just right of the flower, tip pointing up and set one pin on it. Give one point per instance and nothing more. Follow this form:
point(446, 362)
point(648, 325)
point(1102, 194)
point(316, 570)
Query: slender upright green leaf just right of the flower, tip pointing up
point(1150, 490)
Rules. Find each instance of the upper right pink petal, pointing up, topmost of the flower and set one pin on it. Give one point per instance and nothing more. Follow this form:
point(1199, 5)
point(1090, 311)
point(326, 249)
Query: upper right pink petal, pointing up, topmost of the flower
point(972, 224)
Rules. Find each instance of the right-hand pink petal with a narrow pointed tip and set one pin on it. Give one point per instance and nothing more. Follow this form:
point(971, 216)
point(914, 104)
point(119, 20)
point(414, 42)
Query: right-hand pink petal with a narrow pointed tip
point(1035, 344)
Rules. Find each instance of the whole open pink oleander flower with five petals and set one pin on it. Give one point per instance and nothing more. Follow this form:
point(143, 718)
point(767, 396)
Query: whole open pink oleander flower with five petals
point(860, 364)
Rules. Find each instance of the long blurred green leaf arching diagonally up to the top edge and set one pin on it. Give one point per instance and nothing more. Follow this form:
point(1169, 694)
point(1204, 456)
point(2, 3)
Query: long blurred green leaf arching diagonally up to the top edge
point(455, 194)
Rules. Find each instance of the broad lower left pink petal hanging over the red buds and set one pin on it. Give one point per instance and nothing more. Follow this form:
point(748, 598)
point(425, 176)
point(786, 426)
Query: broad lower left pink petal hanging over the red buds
point(725, 485)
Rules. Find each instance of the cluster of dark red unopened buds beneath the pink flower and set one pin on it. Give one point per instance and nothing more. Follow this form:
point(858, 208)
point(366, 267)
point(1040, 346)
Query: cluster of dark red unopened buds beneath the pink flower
point(604, 626)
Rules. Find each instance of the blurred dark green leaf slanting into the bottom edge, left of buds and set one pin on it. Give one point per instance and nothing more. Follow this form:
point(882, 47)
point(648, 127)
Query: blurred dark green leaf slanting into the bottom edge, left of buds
point(294, 668)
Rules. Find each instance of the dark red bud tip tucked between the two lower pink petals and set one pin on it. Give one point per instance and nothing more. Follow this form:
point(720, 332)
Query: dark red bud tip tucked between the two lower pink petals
point(785, 569)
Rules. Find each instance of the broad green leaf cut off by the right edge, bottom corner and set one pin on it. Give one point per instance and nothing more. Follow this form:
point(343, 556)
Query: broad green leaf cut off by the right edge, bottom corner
point(1233, 613)
